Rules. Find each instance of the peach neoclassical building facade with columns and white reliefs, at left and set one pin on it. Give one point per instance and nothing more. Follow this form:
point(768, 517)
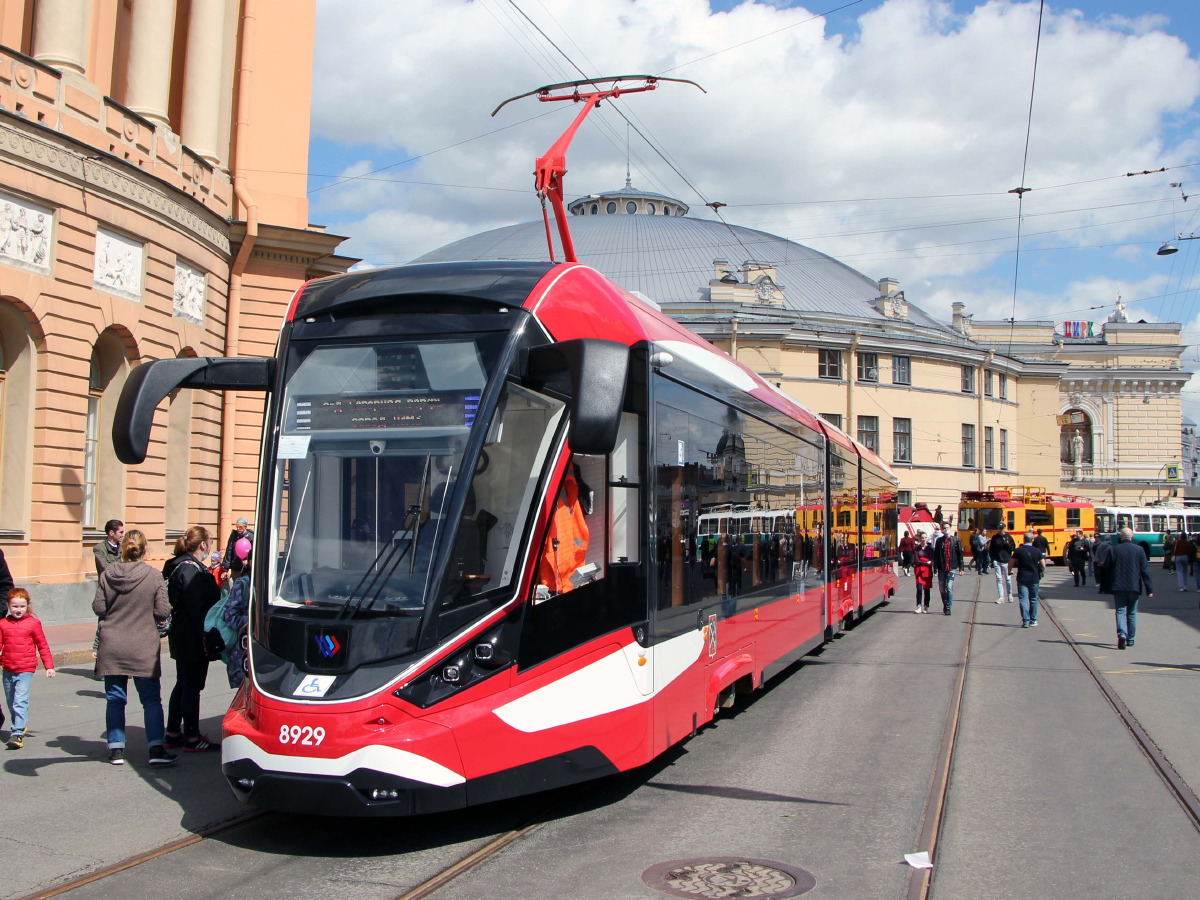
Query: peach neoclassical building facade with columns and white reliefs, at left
point(153, 205)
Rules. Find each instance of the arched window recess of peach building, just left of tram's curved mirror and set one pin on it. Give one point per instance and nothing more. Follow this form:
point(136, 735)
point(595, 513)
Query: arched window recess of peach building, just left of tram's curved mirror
point(104, 476)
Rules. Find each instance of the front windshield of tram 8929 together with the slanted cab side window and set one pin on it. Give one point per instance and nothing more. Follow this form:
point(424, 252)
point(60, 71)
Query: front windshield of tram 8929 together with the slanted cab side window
point(370, 453)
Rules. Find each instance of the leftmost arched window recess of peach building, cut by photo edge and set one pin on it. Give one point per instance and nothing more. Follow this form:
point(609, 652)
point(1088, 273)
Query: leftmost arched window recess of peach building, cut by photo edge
point(19, 361)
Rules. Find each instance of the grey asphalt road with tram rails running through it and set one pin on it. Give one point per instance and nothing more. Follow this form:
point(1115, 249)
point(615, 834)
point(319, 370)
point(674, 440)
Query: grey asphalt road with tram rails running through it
point(827, 770)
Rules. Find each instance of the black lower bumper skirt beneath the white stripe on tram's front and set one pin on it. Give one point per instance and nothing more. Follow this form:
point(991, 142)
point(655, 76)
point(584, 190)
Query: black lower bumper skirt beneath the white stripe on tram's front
point(367, 793)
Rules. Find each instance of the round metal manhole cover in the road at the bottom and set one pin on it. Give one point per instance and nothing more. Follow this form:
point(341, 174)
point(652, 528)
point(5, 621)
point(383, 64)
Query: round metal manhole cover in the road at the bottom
point(729, 878)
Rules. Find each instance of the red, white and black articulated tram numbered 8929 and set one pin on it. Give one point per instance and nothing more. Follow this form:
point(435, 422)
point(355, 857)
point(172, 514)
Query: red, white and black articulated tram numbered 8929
point(489, 560)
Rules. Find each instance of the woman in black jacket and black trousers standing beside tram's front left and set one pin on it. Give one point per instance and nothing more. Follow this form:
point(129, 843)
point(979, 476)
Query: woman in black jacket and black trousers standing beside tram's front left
point(193, 592)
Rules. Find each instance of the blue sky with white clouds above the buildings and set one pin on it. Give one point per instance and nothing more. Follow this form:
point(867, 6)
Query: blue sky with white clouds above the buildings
point(887, 134)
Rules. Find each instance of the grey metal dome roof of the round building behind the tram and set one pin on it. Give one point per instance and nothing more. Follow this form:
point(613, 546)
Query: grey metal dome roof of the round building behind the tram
point(671, 260)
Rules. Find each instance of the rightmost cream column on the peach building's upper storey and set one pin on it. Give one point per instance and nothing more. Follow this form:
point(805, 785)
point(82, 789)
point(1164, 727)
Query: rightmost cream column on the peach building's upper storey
point(202, 79)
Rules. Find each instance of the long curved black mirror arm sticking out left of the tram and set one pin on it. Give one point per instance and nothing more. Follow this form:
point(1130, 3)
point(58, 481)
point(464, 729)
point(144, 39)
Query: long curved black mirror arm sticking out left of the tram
point(152, 382)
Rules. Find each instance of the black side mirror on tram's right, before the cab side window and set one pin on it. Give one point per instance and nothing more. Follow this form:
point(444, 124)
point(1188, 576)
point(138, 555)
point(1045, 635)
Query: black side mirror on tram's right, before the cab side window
point(592, 375)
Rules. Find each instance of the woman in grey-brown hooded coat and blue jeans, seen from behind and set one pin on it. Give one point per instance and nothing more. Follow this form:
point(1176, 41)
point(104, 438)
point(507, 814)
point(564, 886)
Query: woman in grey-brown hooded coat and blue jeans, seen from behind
point(131, 604)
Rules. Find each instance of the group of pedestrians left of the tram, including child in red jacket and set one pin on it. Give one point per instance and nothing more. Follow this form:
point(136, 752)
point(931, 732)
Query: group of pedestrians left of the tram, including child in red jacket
point(199, 602)
